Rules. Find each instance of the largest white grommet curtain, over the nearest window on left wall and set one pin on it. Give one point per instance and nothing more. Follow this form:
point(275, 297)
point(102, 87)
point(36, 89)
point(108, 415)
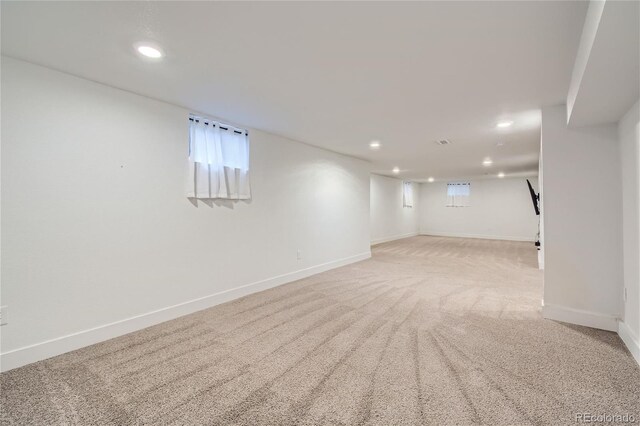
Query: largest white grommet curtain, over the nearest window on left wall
point(218, 161)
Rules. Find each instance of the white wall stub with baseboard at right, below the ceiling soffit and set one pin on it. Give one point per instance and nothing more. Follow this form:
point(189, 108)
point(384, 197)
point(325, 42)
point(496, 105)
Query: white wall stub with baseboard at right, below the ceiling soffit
point(582, 222)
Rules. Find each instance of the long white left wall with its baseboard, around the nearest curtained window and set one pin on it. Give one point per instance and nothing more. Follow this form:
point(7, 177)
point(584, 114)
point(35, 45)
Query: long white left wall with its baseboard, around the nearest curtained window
point(98, 237)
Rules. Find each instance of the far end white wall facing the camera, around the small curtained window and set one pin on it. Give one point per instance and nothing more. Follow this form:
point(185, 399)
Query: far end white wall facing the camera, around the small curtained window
point(499, 209)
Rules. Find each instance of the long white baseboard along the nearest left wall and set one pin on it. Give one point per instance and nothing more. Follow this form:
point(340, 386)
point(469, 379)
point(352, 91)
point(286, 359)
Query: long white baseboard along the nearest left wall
point(43, 350)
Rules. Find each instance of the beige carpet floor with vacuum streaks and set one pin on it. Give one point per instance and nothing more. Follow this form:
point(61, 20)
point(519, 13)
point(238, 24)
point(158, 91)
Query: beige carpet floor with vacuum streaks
point(429, 331)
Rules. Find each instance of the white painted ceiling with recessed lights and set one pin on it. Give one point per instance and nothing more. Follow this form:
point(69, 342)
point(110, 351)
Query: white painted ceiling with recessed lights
point(334, 75)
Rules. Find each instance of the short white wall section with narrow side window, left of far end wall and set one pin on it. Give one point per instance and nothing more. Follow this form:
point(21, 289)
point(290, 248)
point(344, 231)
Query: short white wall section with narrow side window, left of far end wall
point(389, 219)
